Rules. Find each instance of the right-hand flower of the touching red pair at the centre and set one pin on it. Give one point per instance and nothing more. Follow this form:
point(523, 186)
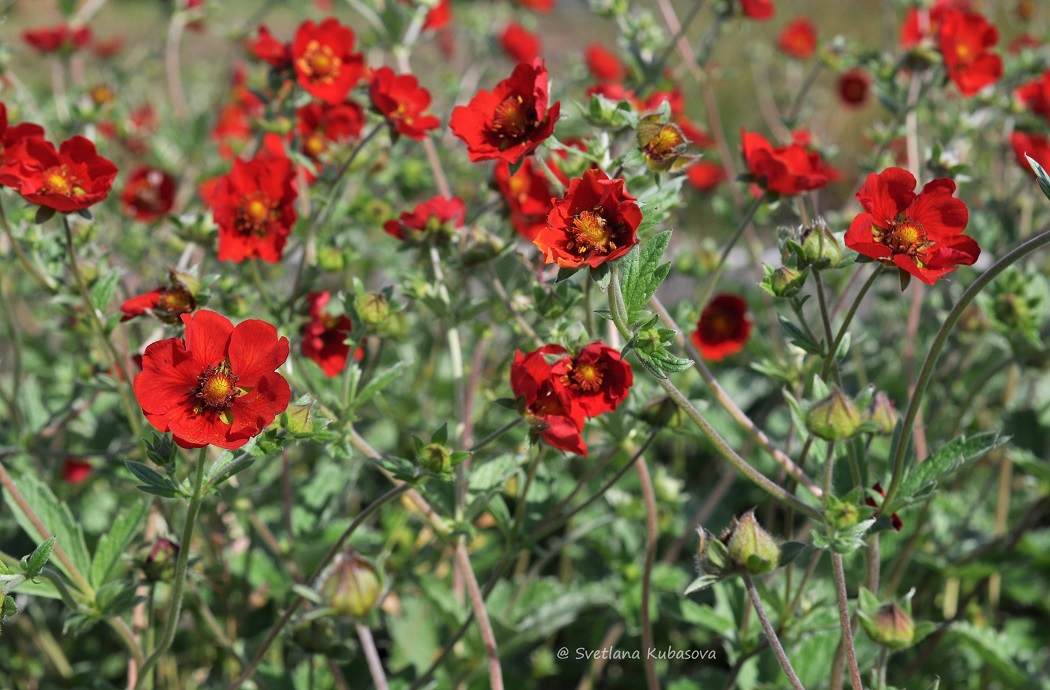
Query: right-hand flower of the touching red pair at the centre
point(597, 381)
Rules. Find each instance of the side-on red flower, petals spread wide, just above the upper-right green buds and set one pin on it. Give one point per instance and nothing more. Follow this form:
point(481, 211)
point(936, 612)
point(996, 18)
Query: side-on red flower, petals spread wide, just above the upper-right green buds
point(786, 170)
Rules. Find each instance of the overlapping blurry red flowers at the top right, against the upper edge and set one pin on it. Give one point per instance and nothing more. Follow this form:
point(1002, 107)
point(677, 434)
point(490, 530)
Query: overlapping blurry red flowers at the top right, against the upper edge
point(964, 38)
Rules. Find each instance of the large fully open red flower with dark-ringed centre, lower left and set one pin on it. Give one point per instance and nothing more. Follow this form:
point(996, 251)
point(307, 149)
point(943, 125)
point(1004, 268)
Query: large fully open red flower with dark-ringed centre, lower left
point(219, 387)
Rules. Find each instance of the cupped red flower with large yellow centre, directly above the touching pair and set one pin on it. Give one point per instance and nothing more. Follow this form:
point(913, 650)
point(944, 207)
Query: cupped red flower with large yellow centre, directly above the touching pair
point(596, 222)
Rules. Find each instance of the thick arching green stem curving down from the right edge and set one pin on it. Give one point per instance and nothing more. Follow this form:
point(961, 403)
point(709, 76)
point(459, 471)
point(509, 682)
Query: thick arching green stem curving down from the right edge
point(901, 442)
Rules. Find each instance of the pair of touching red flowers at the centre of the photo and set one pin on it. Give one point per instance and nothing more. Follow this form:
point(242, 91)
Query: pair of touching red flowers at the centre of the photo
point(558, 392)
